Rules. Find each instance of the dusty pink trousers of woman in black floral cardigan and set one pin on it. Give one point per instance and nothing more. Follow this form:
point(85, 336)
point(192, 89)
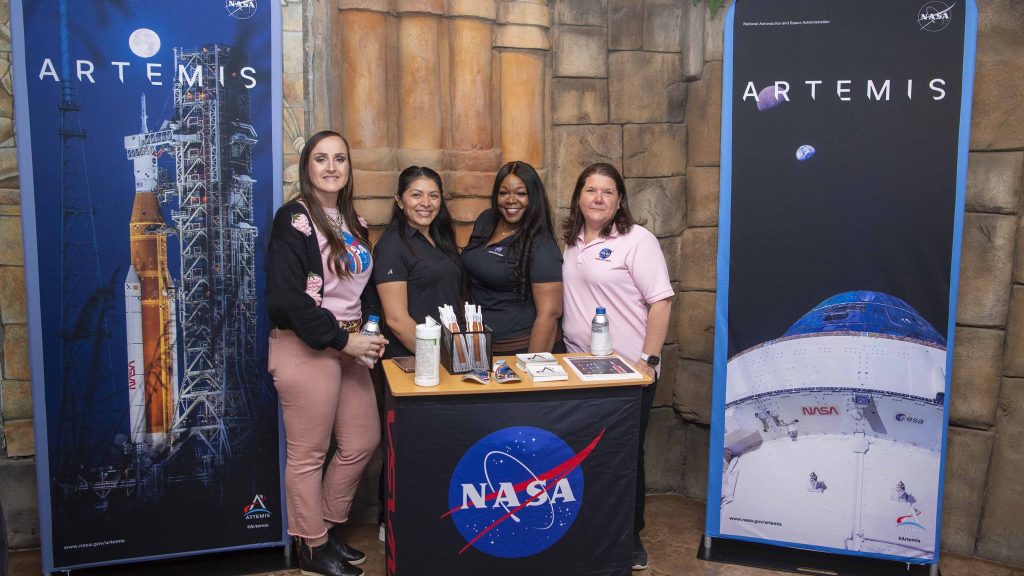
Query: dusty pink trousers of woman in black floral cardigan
point(321, 392)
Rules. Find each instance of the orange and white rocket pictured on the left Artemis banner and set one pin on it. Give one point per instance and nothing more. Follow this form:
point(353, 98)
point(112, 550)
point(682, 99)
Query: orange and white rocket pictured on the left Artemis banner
point(150, 303)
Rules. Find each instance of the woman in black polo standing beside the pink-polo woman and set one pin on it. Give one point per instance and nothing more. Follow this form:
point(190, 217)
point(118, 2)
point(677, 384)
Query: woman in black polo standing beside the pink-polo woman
point(515, 266)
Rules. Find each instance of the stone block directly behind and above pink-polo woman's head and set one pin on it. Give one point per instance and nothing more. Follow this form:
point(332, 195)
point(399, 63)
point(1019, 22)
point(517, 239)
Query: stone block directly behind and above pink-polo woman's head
point(578, 147)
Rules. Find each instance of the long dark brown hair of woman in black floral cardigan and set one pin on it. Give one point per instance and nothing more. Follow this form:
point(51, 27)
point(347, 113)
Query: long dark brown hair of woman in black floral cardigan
point(347, 209)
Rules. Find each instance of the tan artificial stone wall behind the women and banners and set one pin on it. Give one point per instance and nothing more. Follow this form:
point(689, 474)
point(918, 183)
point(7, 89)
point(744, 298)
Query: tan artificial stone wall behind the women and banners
point(466, 86)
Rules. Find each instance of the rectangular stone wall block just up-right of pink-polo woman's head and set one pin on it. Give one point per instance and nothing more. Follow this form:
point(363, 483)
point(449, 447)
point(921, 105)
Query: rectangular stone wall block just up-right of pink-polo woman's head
point(654, 151)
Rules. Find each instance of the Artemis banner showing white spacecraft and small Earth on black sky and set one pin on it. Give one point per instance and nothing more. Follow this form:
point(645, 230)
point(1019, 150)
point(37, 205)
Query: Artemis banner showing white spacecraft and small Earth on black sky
point(844, 168)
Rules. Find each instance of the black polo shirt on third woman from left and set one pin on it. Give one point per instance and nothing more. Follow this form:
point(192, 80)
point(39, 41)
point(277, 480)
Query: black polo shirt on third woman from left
point(492, 279)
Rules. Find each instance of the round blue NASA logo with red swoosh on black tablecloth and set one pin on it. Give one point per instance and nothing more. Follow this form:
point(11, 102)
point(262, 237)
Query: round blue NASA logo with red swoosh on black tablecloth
point(518, 491)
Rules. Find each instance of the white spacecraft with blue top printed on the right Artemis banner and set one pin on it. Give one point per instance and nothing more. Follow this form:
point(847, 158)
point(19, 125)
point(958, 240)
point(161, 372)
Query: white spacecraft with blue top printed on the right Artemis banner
point(833, 432)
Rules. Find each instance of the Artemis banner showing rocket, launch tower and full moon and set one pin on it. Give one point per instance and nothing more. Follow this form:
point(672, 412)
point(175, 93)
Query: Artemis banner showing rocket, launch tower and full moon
point(149, 149)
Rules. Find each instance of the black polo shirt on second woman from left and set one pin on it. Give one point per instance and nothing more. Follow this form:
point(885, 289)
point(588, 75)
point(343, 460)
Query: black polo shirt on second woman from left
point(433, 278)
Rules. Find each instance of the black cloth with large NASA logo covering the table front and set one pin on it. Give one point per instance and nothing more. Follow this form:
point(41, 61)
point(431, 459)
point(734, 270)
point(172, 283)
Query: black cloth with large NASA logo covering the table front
point(528, 483)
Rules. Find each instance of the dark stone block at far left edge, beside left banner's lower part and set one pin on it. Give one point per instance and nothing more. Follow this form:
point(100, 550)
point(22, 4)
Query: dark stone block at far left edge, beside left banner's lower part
point(20, 504)
